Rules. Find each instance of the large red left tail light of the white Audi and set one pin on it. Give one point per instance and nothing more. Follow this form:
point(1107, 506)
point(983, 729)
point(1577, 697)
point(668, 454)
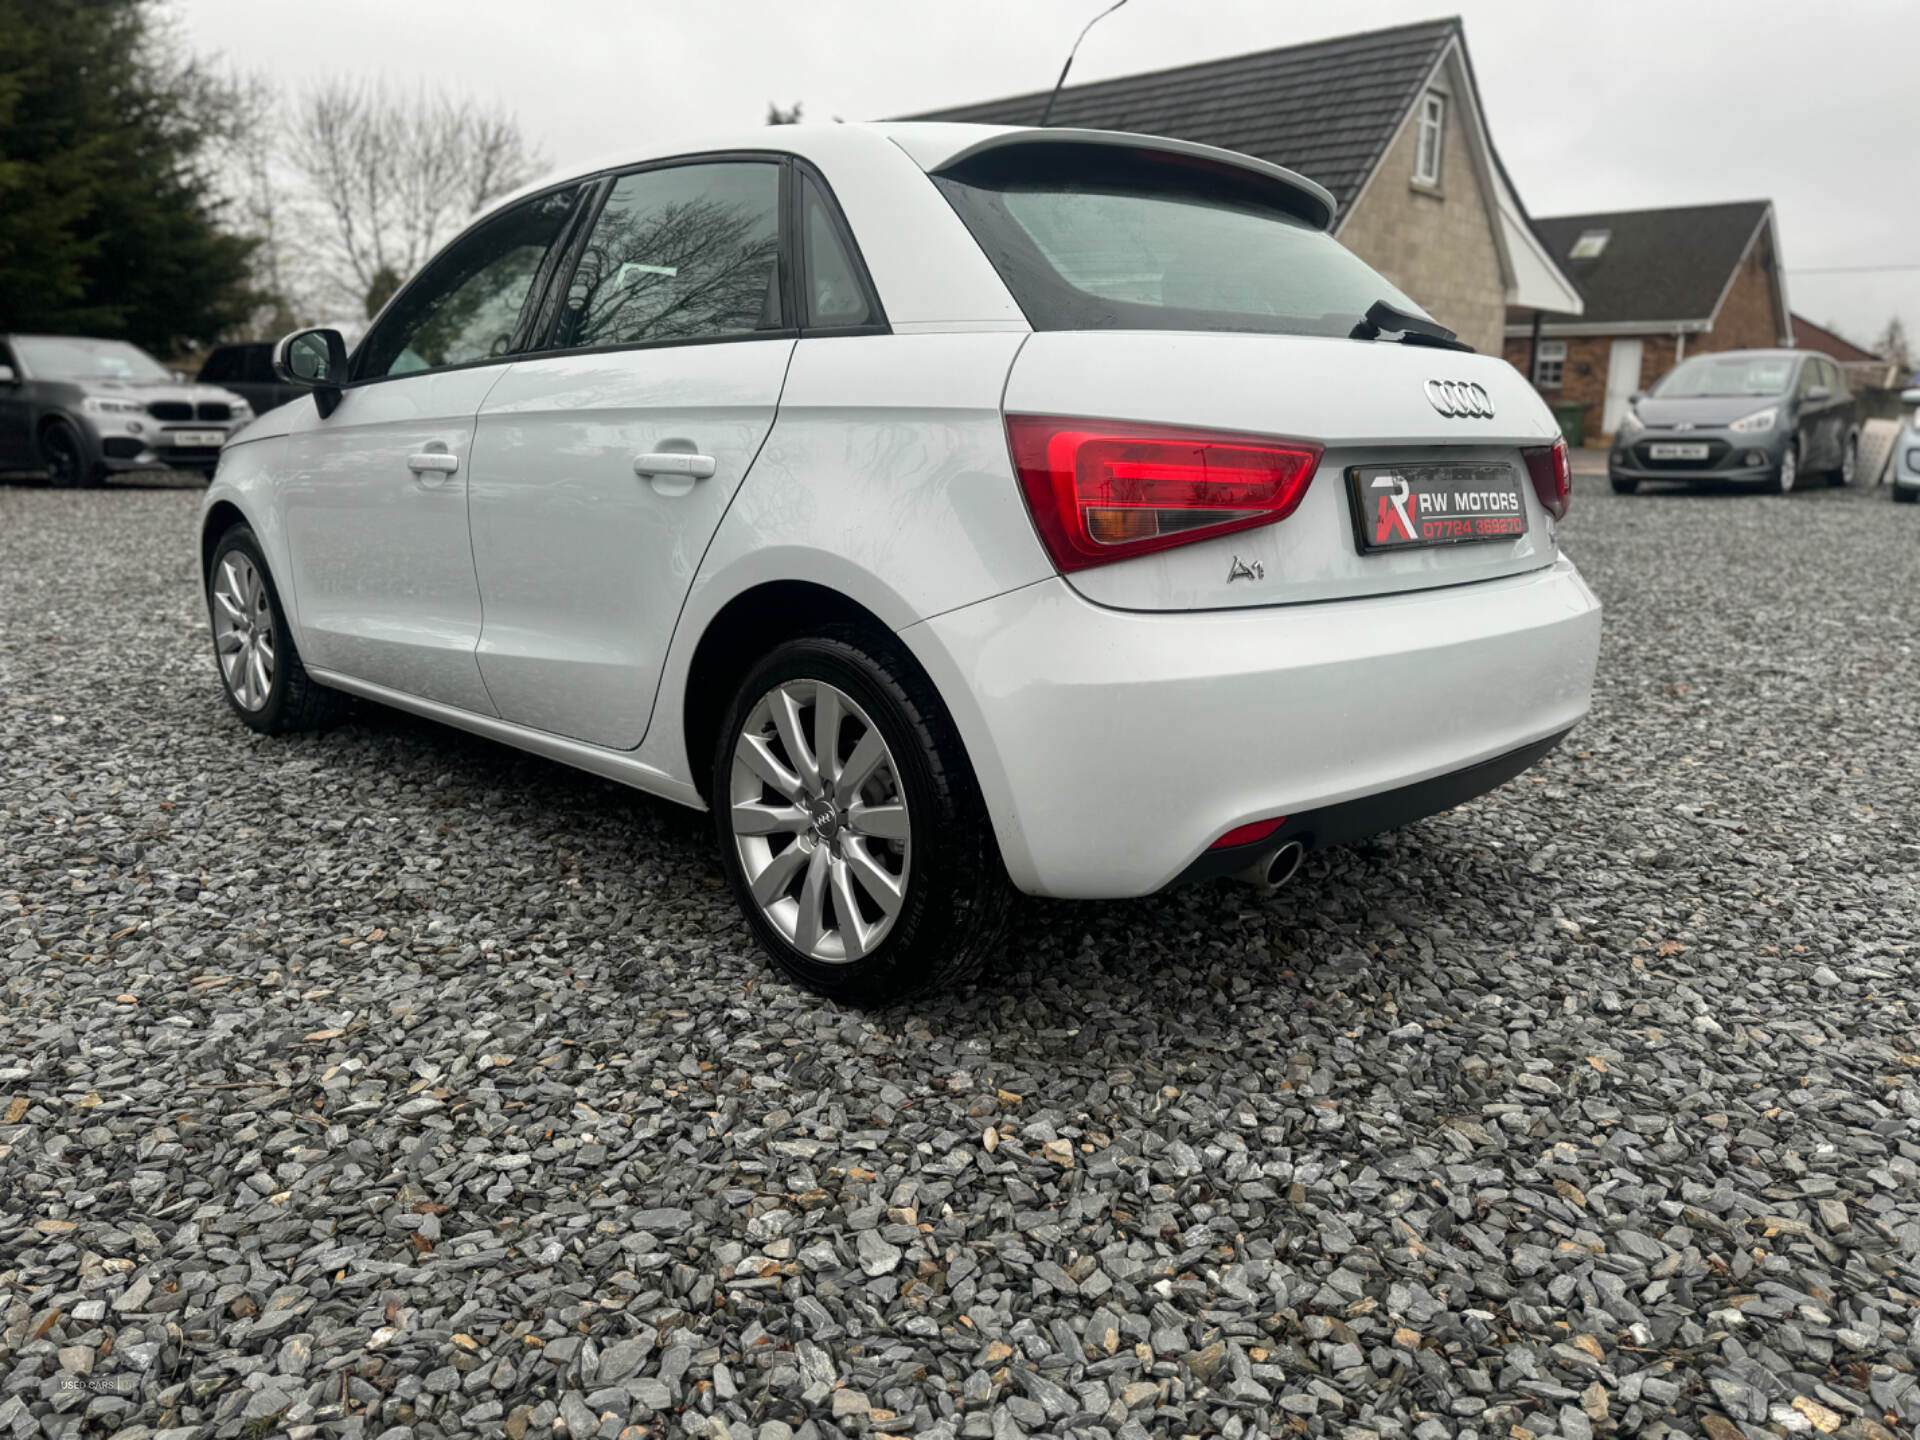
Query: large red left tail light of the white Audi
point(1105, 492)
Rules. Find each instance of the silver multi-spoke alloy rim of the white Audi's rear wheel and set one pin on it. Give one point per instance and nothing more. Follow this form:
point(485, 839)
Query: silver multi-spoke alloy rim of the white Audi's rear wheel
point(819, 821)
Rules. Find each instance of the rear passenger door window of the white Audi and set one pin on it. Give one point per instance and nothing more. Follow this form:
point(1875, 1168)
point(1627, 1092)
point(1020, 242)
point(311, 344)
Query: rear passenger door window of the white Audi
point(688, 252)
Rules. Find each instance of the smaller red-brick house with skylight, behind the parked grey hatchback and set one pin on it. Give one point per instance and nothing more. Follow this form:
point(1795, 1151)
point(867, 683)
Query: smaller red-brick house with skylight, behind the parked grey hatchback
point(1660, 285)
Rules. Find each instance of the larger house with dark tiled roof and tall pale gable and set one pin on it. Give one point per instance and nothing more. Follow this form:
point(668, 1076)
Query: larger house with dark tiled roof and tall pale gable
point(1389, 122)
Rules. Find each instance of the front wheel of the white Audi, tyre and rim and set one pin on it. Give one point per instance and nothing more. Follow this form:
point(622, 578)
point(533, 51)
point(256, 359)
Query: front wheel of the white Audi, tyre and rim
point(254, 652)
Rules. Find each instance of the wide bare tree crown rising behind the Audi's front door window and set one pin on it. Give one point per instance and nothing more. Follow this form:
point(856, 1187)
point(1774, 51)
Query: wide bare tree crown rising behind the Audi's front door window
point(393, 176)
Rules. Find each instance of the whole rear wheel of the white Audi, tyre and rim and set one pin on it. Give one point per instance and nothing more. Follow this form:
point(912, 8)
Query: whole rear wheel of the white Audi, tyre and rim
point(852, 827)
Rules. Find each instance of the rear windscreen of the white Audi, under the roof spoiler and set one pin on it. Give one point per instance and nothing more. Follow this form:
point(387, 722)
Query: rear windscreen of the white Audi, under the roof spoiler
point(1099, 237)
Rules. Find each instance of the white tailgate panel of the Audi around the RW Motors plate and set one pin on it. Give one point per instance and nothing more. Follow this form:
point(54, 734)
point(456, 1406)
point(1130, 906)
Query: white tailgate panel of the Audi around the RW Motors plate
point(1368, 404)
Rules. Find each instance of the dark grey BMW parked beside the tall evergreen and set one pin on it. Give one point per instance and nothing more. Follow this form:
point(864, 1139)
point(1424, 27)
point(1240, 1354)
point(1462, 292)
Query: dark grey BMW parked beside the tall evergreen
point(82, 410)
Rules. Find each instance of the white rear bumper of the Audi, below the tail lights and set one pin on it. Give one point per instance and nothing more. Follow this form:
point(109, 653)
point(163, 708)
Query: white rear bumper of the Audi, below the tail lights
point(1115, 746)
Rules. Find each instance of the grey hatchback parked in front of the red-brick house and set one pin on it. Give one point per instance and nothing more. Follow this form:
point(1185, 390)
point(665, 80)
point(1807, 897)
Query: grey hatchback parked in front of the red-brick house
point(1750, 418)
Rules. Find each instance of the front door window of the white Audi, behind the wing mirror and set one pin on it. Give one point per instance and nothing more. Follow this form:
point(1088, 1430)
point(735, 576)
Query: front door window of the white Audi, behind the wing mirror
point(468, 304)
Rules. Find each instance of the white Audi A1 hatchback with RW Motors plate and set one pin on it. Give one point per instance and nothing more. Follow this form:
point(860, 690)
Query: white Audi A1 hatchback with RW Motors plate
point(949, 510)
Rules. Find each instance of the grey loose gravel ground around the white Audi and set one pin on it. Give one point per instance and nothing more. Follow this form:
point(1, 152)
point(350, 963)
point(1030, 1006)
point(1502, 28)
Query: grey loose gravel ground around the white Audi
point(393, 1084)
